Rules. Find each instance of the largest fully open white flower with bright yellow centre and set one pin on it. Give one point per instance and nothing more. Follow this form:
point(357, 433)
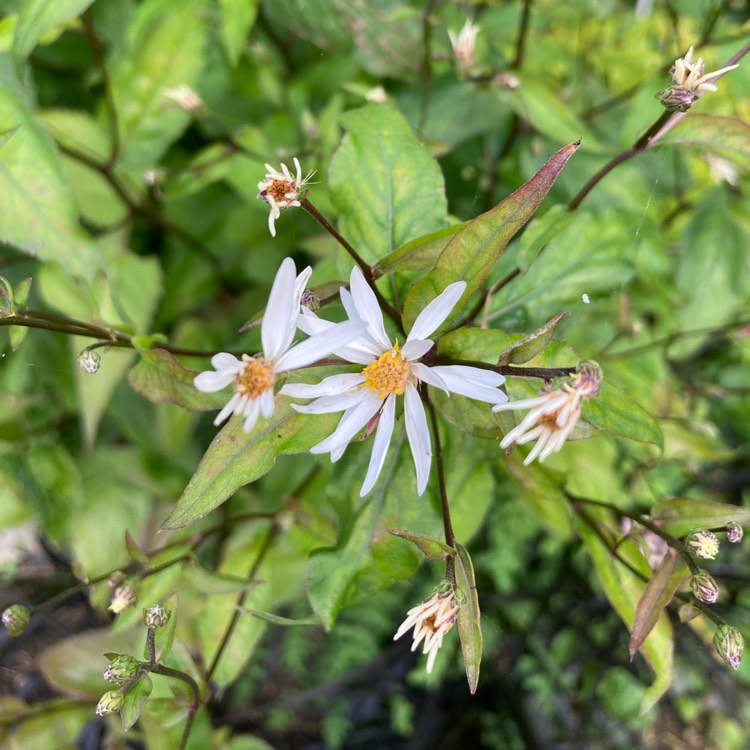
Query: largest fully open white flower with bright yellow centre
point(369, 397)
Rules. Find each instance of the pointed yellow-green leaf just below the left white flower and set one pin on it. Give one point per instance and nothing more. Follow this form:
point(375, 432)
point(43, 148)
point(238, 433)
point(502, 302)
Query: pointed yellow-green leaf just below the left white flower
point(236, 458)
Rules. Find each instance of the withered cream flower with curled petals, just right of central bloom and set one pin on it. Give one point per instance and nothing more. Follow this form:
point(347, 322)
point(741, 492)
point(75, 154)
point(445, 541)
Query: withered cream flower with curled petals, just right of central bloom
point(553, 414)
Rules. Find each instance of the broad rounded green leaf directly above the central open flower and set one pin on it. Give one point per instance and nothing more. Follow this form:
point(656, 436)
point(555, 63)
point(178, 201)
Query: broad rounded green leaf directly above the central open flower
point(385, 183)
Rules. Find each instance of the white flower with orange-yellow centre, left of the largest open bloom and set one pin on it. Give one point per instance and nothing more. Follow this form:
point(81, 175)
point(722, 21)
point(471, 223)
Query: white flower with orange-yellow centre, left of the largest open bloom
point(254, 377)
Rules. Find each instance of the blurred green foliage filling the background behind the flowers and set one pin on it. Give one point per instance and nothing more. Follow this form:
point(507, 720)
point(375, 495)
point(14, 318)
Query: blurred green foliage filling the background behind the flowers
point(132, 214)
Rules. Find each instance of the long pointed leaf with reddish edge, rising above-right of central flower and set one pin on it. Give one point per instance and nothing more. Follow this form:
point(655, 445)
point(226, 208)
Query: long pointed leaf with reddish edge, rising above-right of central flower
point(472, 253)
